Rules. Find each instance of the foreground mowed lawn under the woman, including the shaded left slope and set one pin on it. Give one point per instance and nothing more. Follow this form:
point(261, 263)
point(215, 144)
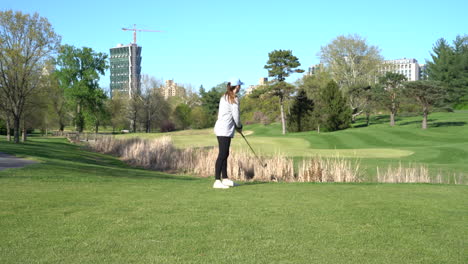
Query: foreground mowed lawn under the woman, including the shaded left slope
point(77, 206)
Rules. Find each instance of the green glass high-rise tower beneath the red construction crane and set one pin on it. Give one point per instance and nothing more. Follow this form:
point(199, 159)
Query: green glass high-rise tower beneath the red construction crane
point(125, 69)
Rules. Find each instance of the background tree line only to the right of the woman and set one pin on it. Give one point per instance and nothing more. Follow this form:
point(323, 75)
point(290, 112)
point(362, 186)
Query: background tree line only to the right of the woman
point(351, 81)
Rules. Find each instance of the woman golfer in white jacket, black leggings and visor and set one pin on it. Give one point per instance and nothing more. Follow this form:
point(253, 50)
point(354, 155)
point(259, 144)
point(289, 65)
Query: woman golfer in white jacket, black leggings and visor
point(228, 121)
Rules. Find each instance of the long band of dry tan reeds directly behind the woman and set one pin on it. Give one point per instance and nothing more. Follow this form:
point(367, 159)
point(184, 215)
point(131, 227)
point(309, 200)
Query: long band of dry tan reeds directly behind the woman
point(160, 154)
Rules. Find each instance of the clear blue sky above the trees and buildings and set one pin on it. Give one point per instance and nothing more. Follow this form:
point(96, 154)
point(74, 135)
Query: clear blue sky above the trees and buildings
point(208, 42)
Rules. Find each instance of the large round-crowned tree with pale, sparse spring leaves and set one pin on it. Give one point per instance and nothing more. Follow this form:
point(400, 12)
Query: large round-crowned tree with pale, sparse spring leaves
point(352, 63)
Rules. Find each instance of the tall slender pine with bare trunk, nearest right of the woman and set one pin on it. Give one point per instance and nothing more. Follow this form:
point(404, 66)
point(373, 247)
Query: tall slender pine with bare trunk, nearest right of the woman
point(281, 64)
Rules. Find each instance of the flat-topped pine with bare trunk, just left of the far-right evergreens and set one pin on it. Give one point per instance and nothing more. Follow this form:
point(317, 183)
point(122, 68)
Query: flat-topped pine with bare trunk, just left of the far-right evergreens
point(427, 93)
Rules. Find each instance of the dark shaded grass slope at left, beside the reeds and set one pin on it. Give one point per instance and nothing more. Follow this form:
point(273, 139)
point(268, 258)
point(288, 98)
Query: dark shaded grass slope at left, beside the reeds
point(61, 160)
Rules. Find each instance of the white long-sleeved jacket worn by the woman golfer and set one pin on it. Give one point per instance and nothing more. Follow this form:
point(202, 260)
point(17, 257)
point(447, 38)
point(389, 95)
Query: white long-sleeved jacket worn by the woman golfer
point(228, 118)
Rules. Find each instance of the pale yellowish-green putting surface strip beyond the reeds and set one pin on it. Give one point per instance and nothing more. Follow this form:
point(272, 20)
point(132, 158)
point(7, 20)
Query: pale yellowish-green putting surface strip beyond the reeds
point(267, 146)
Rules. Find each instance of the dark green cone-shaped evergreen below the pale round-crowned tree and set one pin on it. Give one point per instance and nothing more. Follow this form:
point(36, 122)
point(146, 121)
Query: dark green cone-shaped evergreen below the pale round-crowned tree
point(332, 111)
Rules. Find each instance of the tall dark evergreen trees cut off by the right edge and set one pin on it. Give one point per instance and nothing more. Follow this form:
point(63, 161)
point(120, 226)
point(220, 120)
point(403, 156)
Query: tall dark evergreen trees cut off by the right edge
point(449, 65)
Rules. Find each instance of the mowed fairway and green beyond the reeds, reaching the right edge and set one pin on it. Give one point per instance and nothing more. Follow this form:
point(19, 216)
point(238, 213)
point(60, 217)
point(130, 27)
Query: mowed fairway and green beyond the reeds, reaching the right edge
point(443, 147)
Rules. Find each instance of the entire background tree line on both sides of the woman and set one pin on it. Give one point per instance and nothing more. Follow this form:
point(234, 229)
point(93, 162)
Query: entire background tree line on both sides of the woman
point(45, 85)
